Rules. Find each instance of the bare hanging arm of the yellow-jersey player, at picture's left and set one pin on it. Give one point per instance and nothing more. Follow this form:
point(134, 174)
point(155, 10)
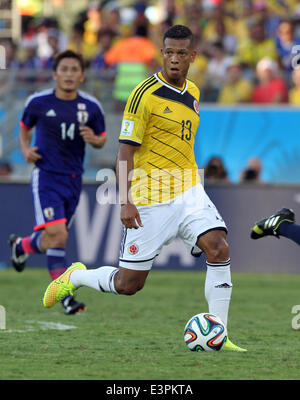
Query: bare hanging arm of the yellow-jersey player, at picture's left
point(130, 216)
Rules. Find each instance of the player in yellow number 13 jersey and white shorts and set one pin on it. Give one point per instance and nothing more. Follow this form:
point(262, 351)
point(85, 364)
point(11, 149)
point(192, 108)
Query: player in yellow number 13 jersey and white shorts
point(160, 190)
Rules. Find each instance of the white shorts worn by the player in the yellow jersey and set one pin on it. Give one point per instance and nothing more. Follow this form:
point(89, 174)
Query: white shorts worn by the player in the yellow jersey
point(188, 217)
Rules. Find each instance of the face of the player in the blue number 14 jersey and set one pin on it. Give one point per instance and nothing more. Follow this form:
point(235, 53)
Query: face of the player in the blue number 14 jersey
point(68, 75)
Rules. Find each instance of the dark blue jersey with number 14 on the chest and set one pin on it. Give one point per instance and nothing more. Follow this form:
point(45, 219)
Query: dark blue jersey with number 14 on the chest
point(57, 134)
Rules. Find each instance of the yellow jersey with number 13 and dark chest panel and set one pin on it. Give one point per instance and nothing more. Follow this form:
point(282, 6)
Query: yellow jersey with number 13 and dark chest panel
point(162, 121)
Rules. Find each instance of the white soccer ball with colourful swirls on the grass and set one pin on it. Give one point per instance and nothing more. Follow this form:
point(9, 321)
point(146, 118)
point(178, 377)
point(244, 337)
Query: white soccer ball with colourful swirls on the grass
point(205, 332)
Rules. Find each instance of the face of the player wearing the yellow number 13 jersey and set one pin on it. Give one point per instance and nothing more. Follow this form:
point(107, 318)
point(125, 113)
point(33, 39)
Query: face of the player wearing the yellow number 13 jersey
point(177, 55)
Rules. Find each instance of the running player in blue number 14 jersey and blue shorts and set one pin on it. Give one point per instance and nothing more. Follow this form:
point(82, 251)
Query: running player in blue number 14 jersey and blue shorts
point(65, 119)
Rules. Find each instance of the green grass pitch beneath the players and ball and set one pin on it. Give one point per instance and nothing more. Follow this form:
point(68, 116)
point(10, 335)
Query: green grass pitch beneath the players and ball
point(141, 337)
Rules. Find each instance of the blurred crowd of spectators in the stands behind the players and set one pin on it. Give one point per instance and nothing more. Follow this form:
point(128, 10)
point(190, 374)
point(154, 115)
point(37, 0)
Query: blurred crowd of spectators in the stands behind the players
point(246, 49)
